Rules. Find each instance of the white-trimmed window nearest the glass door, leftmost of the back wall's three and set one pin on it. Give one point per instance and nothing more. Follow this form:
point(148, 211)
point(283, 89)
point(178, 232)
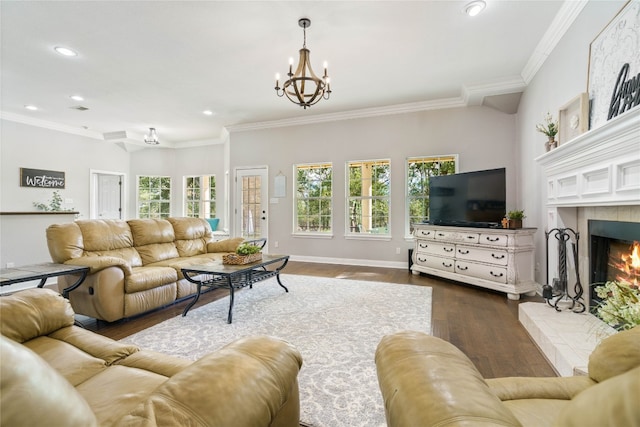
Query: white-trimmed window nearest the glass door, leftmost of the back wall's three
point(313, 200)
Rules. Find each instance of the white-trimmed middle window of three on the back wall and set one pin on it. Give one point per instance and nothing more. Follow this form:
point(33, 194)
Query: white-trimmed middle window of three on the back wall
point(368, 197)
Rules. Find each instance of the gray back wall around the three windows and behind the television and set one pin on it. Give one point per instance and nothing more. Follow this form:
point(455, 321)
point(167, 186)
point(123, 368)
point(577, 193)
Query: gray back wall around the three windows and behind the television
point(484, 138)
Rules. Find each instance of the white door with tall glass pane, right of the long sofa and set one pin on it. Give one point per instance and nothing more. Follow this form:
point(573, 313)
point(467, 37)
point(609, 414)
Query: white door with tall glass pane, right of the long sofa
point(252, 197)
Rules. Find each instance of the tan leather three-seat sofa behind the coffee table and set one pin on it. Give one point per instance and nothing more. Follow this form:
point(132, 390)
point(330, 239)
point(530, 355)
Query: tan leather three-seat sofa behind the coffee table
point(135, 265)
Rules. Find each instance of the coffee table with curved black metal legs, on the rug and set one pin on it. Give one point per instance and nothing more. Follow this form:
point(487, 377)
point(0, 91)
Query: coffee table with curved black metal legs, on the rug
point(234, 277)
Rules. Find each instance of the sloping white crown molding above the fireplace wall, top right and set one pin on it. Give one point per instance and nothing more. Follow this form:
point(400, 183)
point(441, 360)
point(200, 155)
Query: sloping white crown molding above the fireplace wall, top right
point(563, 20)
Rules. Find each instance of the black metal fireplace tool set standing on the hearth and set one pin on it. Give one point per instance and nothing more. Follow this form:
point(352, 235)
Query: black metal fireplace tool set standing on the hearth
point(558, 291)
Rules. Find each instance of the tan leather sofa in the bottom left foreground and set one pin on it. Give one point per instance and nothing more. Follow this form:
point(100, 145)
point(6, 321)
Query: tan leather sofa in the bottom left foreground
point(60, 375)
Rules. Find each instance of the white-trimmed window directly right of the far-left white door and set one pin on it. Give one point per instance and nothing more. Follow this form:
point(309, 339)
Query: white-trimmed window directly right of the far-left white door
point(154, 196)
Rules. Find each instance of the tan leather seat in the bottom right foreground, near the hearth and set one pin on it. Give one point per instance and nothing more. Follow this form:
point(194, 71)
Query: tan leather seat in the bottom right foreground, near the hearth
point(426, 381)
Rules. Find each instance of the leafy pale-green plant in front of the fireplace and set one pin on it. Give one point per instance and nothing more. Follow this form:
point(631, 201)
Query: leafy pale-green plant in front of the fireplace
point(619, 304)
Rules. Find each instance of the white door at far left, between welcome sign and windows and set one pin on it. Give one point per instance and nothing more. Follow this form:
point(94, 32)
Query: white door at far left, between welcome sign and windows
point(107, 197)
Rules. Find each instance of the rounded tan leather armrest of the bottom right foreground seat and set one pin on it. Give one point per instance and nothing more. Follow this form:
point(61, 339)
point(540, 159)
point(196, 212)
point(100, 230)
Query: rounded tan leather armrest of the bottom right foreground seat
point(427, 381)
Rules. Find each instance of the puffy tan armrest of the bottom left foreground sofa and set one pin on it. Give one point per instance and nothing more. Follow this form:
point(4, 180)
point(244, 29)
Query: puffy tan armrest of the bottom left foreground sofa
point(253, 380)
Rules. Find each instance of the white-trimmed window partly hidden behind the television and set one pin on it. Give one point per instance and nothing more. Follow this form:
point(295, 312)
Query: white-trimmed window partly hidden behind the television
point(419, 170)
